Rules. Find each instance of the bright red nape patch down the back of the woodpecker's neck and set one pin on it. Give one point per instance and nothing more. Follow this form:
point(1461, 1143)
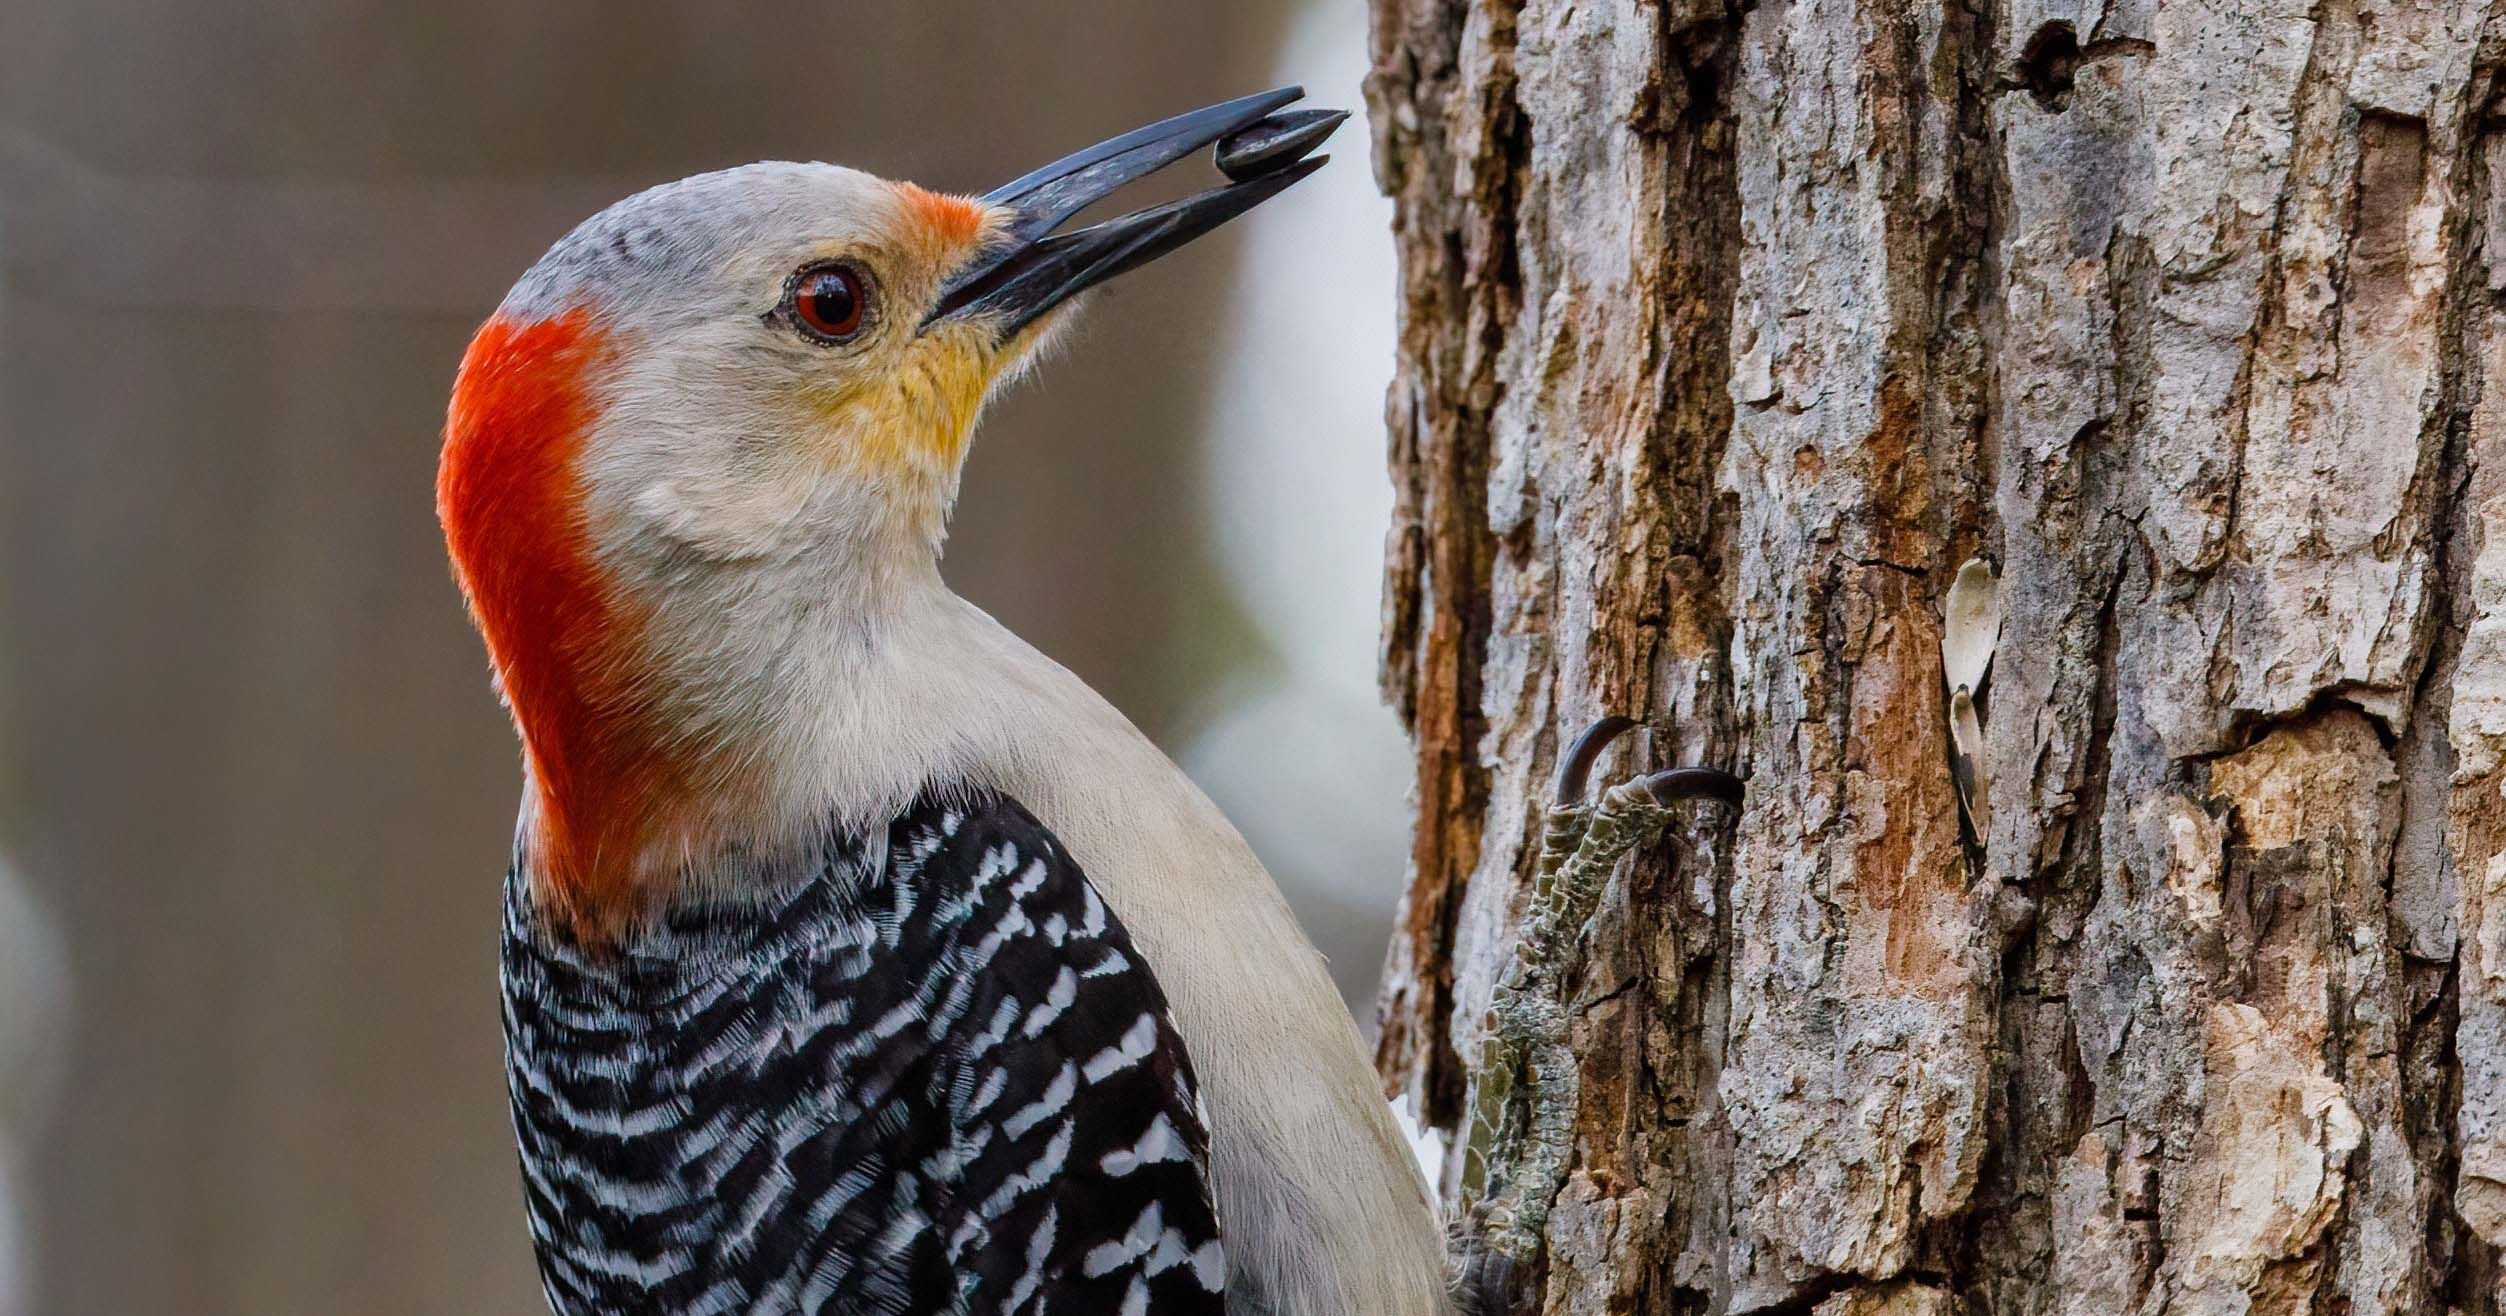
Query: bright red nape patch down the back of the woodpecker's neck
point(510, 500)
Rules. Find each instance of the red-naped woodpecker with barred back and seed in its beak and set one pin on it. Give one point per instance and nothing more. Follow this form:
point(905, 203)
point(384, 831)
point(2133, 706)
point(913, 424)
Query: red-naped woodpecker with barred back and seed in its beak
point(858, 956)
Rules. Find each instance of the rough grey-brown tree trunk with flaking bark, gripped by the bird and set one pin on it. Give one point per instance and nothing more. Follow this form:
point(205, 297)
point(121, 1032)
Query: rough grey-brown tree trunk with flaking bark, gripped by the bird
point(1730, 337)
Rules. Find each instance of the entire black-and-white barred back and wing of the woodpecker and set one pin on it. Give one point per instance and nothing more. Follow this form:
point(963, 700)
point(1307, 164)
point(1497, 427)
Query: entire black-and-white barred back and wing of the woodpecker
point(921, 1074)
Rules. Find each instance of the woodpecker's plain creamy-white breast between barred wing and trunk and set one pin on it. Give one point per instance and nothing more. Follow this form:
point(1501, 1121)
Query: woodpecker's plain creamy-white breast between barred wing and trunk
point(1319, 1197)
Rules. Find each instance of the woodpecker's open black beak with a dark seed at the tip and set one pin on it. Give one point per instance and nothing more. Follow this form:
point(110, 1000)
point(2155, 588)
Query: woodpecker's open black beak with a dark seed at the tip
point(1034, 269)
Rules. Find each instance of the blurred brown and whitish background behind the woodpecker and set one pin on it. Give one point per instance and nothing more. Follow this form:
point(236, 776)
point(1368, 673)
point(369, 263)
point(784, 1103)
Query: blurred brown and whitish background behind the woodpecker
point(257, 796)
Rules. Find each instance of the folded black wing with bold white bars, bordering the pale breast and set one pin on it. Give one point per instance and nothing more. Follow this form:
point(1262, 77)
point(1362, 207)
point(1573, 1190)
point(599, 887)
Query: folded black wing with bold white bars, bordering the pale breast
point(1079, 1157)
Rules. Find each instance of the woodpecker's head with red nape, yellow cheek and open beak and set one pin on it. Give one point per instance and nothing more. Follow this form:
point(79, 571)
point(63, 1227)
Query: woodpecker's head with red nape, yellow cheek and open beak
point(730, 410)
